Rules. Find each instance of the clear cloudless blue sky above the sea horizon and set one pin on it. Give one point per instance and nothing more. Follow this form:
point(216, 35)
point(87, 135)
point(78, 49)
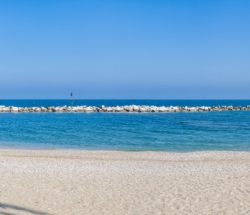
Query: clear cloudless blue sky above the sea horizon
point(169, 49)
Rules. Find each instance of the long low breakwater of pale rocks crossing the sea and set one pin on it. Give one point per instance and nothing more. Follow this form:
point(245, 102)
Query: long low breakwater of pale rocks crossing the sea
point(127, 108)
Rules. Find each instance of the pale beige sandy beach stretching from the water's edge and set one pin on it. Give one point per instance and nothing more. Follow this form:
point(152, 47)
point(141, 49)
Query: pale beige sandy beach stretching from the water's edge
point(98, 182)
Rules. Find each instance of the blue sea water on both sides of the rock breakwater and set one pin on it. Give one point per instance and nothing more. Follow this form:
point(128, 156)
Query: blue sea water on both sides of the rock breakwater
point(127, 131)
